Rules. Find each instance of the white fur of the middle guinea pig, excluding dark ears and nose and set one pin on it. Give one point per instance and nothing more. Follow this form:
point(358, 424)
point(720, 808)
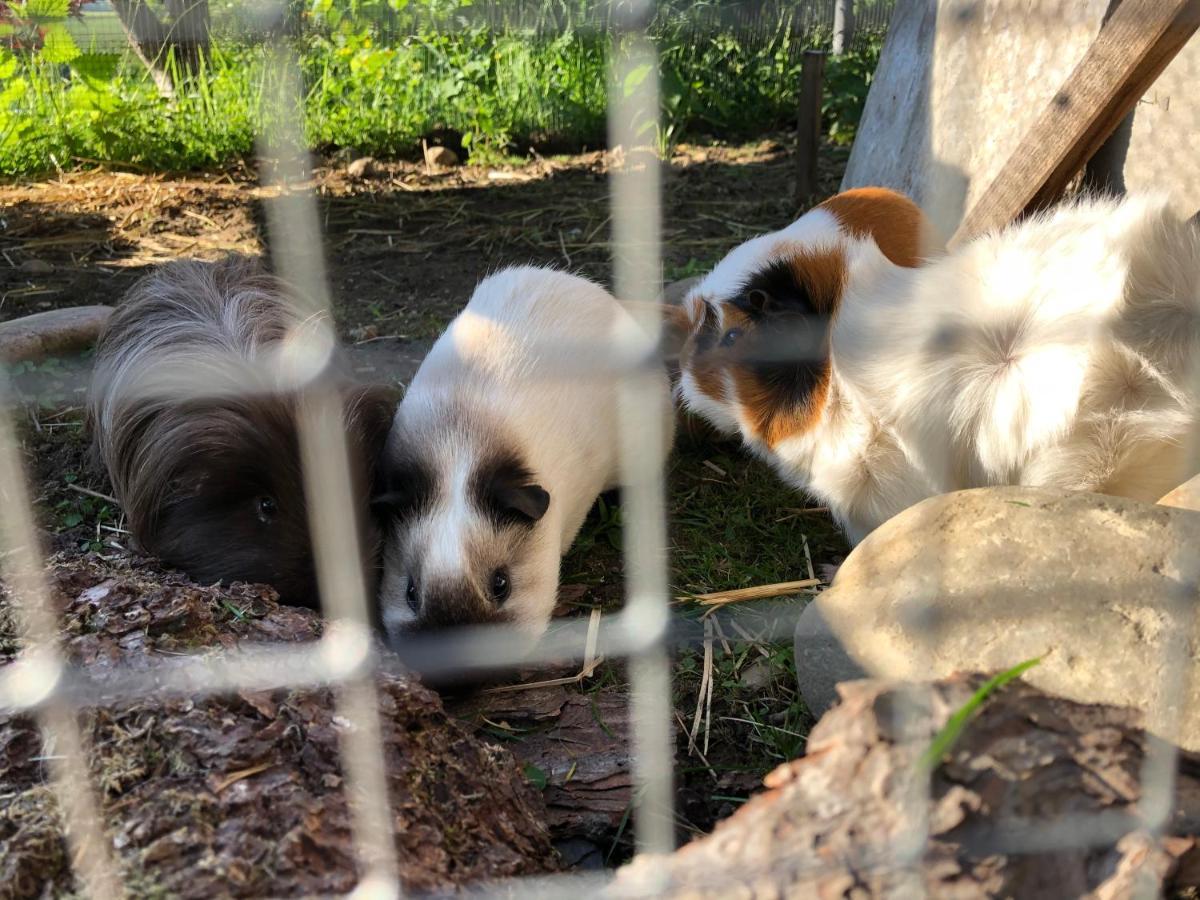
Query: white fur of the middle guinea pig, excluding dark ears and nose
point(529, 363)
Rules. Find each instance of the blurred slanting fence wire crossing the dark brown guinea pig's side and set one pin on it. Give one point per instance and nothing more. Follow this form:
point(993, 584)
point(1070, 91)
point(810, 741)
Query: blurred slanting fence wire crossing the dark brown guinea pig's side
point(296, 241)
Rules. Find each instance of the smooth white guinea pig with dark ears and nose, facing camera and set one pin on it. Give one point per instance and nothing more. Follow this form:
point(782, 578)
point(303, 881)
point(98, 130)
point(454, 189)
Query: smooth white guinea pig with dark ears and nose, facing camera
point(497, 453)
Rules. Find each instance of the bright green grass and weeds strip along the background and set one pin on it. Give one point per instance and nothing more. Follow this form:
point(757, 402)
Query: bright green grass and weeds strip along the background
point(379, 94)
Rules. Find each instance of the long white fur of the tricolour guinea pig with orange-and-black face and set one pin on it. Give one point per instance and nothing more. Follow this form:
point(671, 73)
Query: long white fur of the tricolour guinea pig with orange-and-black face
point(1059, 352)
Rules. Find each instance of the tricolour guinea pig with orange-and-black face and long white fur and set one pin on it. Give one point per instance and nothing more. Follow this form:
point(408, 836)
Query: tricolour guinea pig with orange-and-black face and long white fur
point(875, 371)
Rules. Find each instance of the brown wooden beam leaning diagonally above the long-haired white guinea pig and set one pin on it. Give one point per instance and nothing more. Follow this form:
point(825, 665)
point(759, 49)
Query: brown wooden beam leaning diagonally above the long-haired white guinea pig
point(1136, 45)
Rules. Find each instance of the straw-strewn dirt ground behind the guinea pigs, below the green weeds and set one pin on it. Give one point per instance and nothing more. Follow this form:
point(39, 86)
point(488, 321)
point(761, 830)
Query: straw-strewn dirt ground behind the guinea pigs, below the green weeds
point(406, 247)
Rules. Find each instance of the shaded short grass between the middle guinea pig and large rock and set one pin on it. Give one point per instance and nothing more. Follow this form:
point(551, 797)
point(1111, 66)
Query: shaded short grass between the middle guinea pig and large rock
point(727, 531)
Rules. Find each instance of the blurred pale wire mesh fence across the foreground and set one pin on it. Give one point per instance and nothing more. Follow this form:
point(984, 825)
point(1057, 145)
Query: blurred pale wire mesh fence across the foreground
point(41, 683)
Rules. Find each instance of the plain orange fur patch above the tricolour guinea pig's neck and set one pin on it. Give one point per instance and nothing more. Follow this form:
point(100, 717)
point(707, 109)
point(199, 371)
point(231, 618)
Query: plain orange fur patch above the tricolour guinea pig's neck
point(901, 230)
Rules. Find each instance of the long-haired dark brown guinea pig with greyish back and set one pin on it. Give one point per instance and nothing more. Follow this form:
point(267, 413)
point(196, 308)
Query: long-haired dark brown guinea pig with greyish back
point(212, 484)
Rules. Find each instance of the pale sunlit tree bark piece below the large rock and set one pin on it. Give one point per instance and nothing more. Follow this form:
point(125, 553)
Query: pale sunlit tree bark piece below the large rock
point(831, 823)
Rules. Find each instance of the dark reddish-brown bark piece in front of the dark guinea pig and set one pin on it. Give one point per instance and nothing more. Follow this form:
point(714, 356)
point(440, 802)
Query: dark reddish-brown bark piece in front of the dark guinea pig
point(244, 795)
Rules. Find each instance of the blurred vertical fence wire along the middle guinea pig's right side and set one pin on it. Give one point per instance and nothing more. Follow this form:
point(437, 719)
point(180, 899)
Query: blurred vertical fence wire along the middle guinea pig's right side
point(637, 224)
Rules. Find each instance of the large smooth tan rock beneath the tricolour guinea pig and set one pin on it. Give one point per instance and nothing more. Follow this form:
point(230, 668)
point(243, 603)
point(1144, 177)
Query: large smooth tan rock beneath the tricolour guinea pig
point(1103, 589)
